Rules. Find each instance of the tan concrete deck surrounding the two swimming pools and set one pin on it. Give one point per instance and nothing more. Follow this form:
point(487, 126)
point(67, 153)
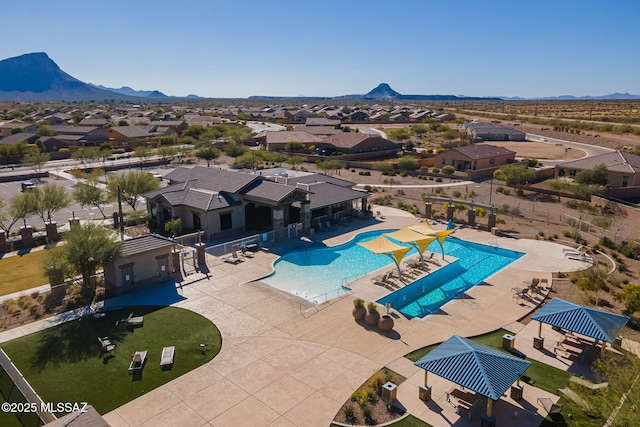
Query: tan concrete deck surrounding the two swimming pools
point(285, 362)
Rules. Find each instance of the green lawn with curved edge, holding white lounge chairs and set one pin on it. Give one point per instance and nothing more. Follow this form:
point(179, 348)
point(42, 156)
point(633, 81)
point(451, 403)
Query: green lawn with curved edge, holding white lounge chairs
point(63, 364)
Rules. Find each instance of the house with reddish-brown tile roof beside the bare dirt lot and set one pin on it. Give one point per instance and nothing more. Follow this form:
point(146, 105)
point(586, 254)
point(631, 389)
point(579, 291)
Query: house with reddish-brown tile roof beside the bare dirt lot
point(475, 157)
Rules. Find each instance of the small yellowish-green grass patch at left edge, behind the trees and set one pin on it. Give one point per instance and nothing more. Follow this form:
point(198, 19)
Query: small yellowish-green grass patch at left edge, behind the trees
point(22, 272)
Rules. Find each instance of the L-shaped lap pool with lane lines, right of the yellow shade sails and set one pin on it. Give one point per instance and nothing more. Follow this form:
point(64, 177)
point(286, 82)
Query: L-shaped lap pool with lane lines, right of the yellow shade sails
point(475, 263)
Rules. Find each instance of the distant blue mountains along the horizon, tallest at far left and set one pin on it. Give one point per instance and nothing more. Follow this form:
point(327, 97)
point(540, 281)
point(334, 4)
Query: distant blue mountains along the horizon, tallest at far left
point(35, 77)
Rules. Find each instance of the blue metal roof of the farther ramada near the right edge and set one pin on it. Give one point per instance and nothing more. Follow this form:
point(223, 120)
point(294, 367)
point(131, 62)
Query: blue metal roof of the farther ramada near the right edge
point(598, 324)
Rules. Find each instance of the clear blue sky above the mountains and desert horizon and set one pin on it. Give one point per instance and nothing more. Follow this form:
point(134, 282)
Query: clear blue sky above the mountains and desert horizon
point(294, 47)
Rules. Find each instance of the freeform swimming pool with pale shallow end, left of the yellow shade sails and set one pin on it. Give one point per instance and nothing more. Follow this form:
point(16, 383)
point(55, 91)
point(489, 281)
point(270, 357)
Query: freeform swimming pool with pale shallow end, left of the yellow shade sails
point(318, 274)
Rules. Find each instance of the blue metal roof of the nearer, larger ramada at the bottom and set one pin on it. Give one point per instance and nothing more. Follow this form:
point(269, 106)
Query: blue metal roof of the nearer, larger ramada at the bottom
point(485, 370)
